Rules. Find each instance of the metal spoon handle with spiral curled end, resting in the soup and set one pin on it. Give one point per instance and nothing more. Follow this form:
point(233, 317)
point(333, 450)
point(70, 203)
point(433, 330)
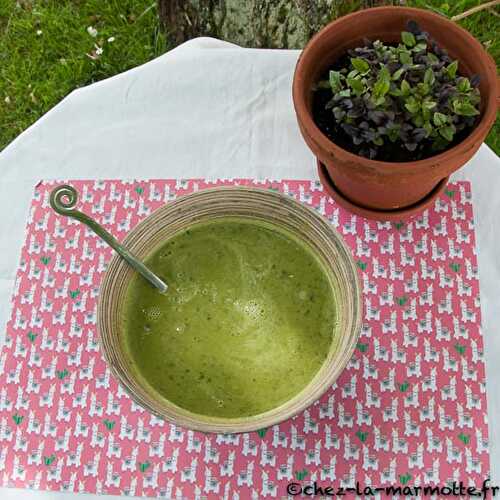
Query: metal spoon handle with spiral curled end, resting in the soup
point(64, 198)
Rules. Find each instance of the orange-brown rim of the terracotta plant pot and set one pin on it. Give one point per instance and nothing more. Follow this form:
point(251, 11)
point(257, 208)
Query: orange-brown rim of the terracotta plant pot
point(323, 142)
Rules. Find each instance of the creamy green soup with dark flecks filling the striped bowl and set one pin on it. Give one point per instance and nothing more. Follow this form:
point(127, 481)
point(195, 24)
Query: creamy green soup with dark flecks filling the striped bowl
point(246, 323)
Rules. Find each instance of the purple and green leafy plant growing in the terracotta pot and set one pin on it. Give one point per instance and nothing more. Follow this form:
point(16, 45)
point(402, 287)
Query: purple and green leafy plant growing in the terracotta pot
point(410, 95)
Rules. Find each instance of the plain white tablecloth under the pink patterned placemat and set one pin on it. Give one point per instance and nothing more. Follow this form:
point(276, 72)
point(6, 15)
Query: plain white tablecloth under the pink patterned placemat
point(207, 108)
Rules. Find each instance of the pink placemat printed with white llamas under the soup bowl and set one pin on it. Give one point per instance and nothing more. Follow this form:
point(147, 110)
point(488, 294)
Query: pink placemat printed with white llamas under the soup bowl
point(410, 408)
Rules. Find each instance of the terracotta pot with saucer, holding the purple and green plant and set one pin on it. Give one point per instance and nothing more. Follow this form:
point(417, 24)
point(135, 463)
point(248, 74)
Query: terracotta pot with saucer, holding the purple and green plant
point(382, 185)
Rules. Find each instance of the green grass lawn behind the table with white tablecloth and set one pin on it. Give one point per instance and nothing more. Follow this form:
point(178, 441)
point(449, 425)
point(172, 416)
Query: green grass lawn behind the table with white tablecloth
point(46, 50)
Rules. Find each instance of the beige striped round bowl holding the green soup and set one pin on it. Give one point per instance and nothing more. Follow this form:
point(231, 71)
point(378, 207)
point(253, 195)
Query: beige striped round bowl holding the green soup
point(254, 204)
